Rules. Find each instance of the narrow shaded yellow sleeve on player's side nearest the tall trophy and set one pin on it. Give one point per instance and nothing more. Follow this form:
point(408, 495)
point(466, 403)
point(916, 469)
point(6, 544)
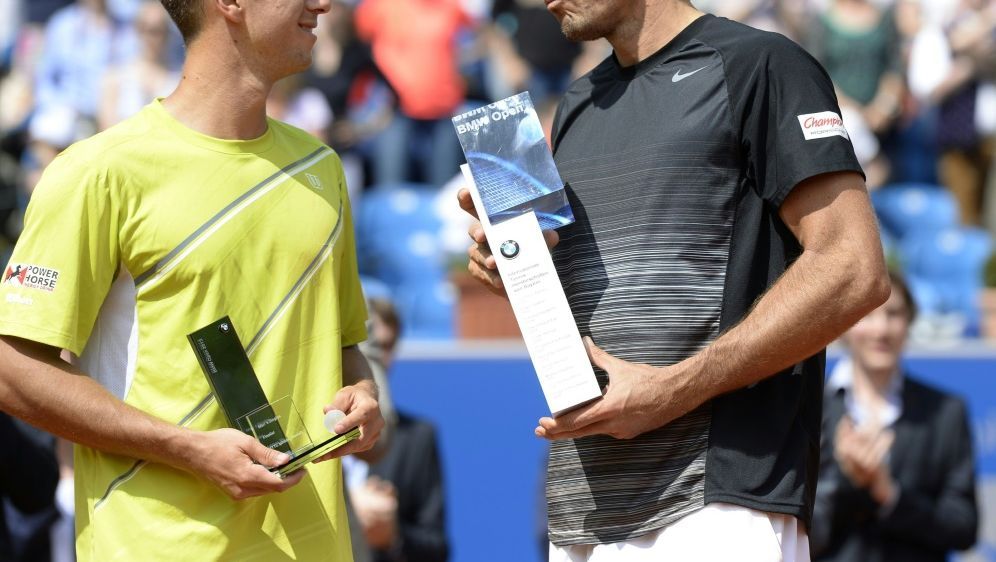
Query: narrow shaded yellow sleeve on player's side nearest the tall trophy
point(352, 304)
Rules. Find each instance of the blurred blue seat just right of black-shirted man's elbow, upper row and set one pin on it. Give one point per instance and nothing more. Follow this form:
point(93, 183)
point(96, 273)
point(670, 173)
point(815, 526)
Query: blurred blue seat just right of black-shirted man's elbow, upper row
point(904, 209)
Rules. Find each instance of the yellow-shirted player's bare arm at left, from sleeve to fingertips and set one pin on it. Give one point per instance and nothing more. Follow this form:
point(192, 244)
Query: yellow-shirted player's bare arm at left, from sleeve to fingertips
point(37, 386)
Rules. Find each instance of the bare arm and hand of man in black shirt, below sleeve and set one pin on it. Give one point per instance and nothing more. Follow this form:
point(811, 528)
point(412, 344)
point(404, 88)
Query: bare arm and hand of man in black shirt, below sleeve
point(838, 278)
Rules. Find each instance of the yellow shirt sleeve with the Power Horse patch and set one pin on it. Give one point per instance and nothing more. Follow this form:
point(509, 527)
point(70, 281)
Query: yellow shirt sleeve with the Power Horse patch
point(65, 259)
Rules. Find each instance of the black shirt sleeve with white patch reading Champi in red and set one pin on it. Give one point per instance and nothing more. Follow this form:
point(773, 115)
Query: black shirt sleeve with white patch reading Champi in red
point(788, 116)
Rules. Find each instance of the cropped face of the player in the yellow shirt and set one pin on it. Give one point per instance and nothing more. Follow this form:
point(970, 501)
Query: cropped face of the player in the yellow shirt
point(282, 33)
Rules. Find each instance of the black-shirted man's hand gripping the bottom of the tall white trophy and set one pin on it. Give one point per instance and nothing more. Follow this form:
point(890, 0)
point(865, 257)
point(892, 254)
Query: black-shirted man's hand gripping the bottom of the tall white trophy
point(635, 401)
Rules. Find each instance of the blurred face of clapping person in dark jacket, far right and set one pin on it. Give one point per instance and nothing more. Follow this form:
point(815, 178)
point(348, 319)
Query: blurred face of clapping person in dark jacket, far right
point(877, 340)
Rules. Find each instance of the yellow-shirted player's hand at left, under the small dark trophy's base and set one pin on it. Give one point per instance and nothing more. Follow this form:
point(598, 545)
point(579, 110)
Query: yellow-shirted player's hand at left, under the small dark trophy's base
point(238, 464)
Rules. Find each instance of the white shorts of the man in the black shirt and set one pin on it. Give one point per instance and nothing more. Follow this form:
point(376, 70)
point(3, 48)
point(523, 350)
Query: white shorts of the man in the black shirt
point(719, 532)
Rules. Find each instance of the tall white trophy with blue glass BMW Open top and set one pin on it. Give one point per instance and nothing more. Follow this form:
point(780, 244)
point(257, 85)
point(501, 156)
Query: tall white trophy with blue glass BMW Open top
point(518, 192)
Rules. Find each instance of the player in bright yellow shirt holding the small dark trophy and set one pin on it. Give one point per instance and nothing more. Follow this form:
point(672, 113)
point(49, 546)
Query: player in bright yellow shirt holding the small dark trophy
point(197, 207)
